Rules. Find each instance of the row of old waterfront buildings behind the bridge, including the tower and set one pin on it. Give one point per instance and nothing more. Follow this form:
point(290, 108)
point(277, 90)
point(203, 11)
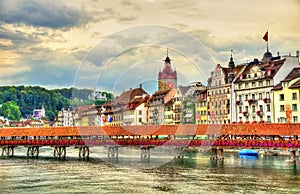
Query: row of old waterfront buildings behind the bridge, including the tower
point(262, 91)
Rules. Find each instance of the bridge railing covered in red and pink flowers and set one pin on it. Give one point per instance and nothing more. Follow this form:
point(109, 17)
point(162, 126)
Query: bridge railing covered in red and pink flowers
point(156, 142)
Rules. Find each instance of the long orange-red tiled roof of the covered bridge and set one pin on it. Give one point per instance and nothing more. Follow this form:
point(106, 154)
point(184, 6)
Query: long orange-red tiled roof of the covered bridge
point(144, 130)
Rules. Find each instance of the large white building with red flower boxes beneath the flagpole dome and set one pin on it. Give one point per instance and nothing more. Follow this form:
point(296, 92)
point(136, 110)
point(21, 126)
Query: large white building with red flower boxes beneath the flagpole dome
point(254, 101)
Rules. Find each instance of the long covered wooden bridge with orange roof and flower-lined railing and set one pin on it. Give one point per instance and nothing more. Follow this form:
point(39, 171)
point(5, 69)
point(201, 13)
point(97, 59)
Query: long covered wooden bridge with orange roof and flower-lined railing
point(216, 137)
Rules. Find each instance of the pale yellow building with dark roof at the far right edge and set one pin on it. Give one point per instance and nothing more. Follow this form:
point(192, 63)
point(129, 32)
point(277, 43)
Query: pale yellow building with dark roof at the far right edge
point(286, 98)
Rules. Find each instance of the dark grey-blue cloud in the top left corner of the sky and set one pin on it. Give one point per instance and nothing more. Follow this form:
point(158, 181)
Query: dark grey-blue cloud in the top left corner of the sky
point(53, 14)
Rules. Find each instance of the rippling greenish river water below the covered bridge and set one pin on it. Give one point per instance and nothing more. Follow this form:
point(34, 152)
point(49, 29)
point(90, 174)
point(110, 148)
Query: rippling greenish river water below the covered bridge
point(195, 173)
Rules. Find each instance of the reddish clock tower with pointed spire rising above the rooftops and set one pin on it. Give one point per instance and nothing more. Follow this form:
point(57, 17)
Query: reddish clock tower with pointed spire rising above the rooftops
point(167, 78)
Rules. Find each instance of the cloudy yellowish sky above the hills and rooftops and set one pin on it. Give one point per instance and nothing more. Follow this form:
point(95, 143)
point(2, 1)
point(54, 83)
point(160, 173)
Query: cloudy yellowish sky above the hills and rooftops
point(115, 45)
